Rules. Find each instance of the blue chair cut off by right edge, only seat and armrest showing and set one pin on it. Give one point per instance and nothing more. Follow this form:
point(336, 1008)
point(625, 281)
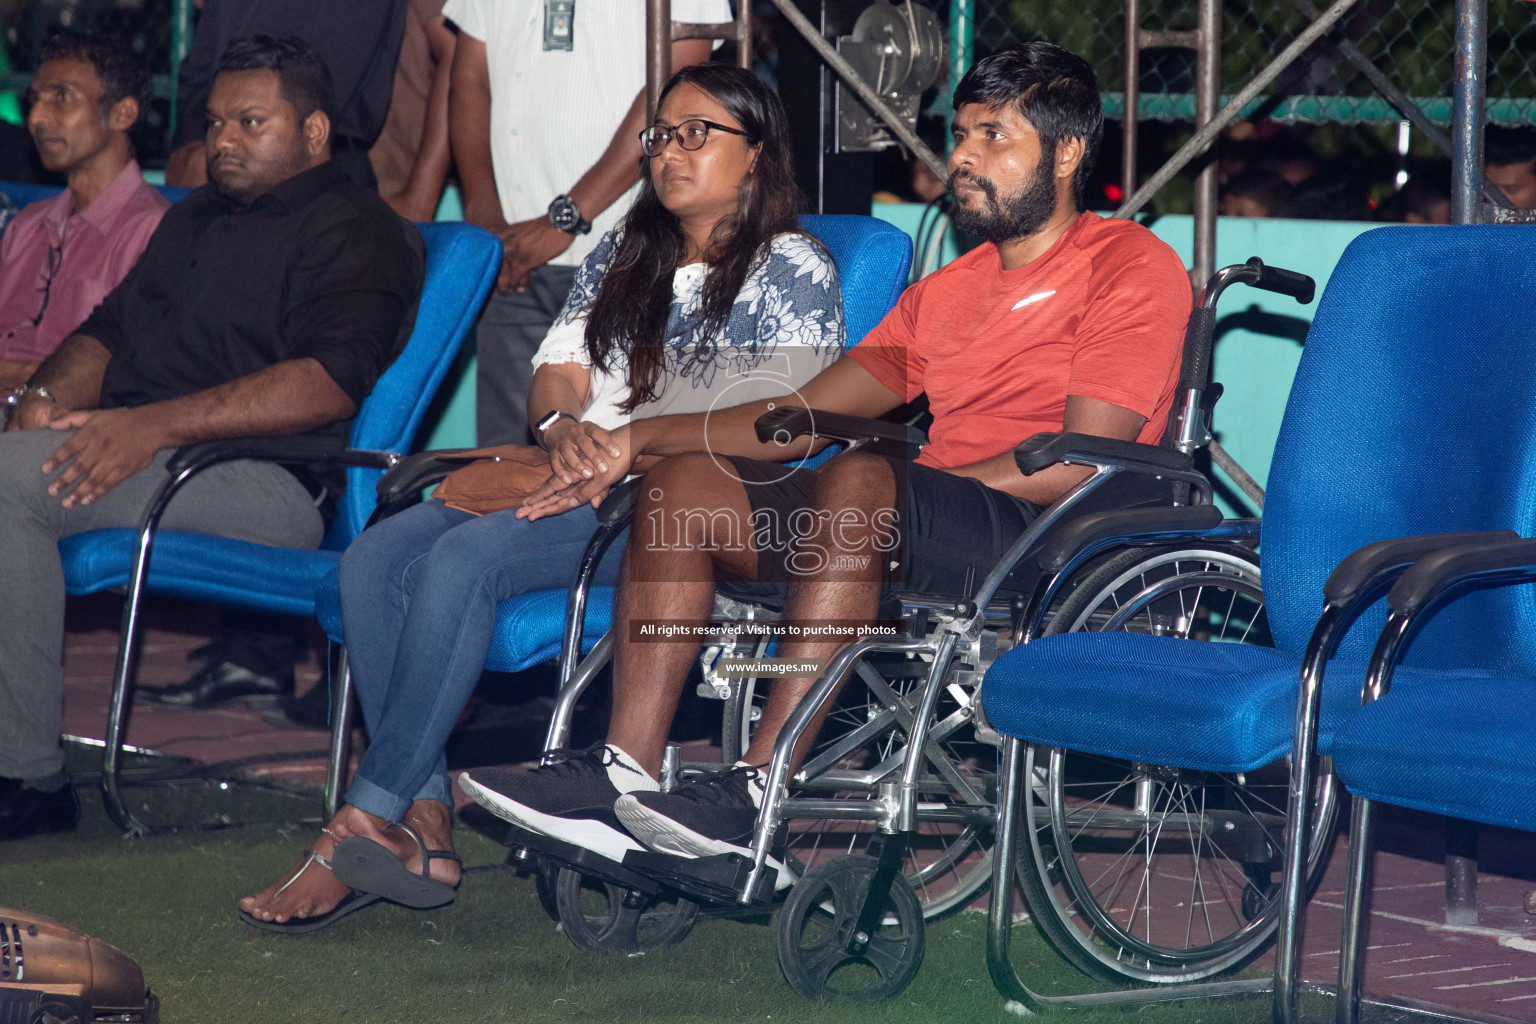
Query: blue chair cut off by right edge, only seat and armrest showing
point(1451, 739)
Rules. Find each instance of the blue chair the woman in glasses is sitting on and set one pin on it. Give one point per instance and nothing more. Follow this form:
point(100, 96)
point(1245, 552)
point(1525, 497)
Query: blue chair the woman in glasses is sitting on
point(873, 260)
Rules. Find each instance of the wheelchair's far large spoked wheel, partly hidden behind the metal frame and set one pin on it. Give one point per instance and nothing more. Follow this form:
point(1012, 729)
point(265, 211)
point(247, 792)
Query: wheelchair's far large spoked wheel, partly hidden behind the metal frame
point(861, 748)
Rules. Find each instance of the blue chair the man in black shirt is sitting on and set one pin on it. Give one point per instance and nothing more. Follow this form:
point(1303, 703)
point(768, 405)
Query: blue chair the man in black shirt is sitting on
point(462, 268)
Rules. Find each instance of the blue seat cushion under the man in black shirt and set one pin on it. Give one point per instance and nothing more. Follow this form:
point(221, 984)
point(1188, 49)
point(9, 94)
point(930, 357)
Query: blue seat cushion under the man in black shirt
point(200, 567)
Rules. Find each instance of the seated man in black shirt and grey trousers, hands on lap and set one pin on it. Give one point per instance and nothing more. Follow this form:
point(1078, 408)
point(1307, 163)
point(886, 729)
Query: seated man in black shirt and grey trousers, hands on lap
point(265, 305)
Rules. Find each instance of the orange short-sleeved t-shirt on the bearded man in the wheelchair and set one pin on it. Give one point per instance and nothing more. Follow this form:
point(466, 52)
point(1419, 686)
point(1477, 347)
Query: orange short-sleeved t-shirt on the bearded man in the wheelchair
point(1102, 315)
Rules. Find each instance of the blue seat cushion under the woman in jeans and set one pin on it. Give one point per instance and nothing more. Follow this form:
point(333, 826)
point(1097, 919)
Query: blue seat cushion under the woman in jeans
point(529, 629)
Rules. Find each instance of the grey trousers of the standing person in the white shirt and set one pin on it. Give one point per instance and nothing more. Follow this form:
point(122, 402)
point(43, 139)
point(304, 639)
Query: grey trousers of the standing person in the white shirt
point(509, 332)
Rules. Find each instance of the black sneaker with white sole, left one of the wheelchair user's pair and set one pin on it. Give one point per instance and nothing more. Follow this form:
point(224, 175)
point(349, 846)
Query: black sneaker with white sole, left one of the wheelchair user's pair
point(571, 801)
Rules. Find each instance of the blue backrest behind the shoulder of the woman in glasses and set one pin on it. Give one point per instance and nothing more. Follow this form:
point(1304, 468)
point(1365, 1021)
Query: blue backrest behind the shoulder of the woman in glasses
point(873, 260)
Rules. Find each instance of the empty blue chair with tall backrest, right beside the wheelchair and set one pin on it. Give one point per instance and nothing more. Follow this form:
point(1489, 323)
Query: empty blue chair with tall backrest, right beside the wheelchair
point(1412, 414)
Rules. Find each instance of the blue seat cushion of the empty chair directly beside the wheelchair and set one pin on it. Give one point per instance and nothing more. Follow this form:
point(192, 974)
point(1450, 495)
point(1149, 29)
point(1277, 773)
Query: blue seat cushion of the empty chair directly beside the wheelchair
point(1214, 707)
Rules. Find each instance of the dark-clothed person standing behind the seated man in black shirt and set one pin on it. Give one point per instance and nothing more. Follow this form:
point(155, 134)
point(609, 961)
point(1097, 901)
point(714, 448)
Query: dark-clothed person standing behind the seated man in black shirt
point(357, 42)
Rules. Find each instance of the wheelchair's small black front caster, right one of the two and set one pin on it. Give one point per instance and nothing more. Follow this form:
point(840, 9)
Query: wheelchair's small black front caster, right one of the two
point(824, 957)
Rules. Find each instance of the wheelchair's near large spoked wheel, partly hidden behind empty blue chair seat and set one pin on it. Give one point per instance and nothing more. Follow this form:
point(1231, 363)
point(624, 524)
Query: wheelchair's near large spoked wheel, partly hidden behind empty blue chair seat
point(1150, 873)
